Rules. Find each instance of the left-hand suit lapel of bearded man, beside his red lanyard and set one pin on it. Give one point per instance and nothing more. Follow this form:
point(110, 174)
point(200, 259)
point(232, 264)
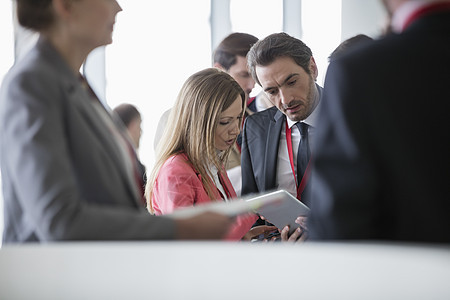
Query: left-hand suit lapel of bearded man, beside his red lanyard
point(271, 153)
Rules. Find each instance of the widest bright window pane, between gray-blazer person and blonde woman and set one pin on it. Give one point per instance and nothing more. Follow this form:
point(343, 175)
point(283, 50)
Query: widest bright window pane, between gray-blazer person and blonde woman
point(157, 45)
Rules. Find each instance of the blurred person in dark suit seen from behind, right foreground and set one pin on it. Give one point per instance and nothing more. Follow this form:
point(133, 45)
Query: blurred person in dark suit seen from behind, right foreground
point(382, 165)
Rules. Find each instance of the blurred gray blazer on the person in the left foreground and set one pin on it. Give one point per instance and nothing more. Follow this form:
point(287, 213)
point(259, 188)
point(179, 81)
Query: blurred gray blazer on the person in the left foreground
point(63, 176)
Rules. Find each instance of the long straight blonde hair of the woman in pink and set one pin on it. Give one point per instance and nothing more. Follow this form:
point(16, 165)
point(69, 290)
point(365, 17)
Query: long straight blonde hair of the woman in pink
point(192, 125)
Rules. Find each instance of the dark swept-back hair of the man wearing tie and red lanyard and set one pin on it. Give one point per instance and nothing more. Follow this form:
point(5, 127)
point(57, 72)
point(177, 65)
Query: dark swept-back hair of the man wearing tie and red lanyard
point(276, 45)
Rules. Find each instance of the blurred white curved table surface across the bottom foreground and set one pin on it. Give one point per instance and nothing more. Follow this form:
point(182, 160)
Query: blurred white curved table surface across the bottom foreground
point(220, 270)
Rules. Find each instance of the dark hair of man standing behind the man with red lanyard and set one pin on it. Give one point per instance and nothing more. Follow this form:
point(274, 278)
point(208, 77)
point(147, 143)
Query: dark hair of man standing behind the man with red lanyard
point(235, 44)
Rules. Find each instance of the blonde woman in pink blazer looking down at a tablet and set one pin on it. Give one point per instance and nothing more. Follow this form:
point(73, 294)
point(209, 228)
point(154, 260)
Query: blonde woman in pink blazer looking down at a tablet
point(202, 128)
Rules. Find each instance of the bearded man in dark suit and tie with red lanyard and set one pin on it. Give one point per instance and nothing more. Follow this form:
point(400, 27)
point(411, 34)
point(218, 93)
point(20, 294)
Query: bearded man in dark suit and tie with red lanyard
point(275, 154)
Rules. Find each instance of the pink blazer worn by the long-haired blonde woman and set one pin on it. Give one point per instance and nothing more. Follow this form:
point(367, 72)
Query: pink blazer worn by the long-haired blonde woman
point(179, 185)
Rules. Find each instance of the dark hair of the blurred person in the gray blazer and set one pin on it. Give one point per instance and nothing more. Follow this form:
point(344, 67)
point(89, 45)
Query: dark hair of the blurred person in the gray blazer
point(35, 14)
